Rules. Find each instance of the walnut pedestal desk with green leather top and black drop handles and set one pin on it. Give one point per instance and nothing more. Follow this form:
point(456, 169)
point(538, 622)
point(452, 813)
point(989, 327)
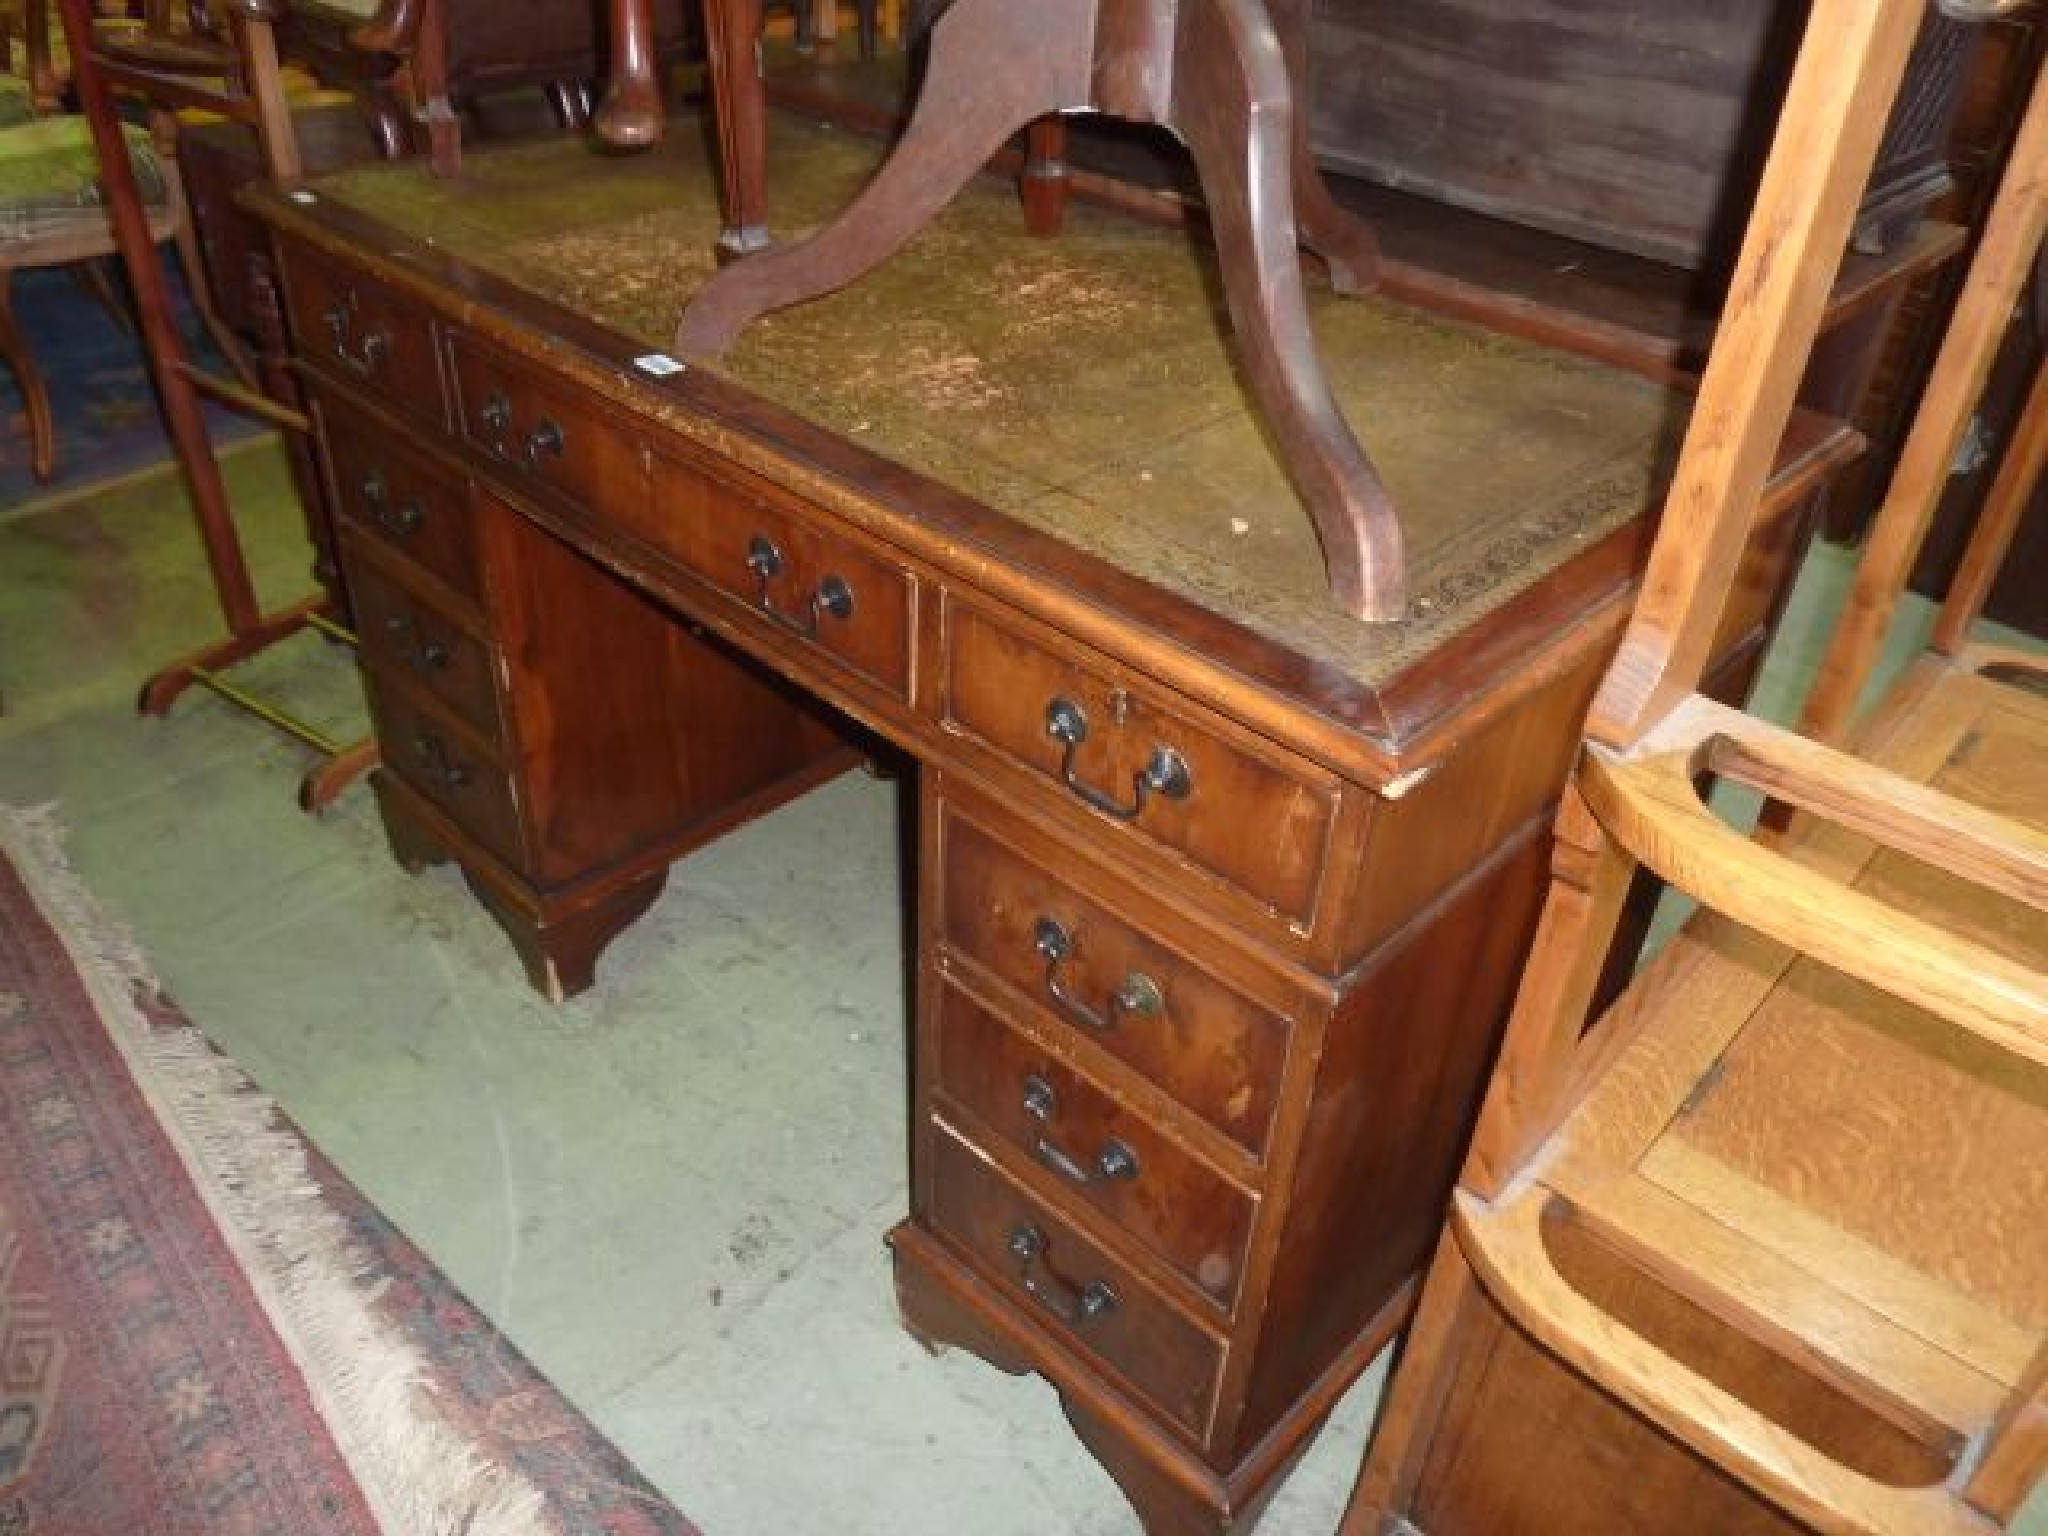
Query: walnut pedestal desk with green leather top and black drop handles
point(1222, 894)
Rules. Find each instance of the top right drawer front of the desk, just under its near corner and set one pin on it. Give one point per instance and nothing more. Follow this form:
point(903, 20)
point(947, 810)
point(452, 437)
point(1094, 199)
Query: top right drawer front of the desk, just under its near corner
point(1144, 763)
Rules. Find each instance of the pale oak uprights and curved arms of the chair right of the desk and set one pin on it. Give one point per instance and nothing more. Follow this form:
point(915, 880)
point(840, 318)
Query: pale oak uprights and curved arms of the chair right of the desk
point(1547, 1132)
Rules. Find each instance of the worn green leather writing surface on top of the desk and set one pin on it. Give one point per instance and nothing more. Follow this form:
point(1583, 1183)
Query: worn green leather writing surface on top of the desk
point(1086, 384)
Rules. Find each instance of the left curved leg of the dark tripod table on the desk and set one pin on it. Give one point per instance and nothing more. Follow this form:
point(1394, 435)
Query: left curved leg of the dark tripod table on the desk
point(964, 116)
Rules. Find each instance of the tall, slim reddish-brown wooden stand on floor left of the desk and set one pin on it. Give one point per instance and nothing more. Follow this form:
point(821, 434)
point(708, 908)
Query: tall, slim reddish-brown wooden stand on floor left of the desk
point(247, 87)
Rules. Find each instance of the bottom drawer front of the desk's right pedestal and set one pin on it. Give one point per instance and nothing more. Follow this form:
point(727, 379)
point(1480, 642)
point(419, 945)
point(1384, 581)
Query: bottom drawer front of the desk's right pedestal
point(1070, 1285)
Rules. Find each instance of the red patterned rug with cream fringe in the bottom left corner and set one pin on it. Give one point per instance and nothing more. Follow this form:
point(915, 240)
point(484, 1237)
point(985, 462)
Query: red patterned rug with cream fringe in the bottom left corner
point(204, 1328)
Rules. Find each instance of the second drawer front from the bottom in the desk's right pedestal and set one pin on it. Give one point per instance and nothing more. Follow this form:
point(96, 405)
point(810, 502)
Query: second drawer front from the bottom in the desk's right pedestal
point(1105, 1156)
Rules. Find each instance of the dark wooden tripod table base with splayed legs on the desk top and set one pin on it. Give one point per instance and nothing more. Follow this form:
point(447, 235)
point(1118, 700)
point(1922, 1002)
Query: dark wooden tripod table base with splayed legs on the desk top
point(1218, 75)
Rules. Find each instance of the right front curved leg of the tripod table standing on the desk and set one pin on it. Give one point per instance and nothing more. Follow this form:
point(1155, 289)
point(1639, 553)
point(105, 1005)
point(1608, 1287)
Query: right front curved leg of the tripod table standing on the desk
point(1232, 110)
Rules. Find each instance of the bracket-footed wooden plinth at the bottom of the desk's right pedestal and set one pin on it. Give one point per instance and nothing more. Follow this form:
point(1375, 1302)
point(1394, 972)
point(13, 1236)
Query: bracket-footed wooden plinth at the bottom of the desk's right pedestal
point(1172, 1488)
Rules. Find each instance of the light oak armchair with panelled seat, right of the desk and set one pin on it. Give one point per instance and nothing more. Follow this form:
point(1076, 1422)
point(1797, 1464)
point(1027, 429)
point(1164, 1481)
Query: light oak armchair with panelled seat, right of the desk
point(1764, 1246)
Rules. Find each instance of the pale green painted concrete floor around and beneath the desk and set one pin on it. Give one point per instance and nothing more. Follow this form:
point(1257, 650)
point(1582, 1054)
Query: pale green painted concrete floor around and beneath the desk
point(671, 1191)
